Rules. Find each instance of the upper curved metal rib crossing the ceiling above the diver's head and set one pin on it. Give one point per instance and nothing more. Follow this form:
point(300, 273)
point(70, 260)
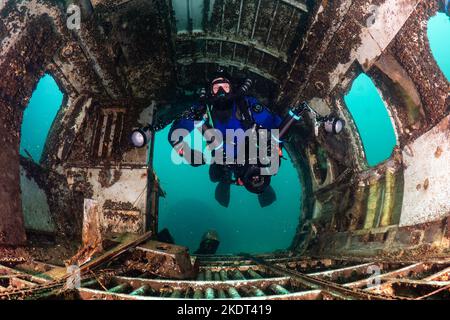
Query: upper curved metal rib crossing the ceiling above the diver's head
point(236, 40)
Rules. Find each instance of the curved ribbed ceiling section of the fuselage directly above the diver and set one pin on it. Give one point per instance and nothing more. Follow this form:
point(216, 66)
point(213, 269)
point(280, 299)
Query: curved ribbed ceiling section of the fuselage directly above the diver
point(254, 36)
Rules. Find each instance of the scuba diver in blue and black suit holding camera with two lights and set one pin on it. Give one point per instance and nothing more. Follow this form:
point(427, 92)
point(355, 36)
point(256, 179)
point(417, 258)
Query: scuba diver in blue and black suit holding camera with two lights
point(222, 108)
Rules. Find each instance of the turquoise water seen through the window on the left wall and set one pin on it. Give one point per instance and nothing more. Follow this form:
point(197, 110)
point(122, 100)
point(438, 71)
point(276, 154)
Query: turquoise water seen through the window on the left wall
point(38, 117)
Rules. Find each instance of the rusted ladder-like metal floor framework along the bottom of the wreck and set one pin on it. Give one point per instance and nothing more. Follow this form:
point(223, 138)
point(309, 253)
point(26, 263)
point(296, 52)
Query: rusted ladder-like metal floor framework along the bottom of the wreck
point(266, 277)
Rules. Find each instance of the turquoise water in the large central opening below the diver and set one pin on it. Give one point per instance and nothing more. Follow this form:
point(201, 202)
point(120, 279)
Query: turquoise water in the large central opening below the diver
point(190, 208)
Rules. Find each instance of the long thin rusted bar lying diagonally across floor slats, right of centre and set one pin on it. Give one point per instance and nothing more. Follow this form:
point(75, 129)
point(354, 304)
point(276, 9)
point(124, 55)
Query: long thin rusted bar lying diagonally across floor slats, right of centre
point(333, 289)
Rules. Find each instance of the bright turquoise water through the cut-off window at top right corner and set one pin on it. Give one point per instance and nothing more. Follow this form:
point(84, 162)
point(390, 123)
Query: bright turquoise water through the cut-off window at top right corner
point(439, 37)
